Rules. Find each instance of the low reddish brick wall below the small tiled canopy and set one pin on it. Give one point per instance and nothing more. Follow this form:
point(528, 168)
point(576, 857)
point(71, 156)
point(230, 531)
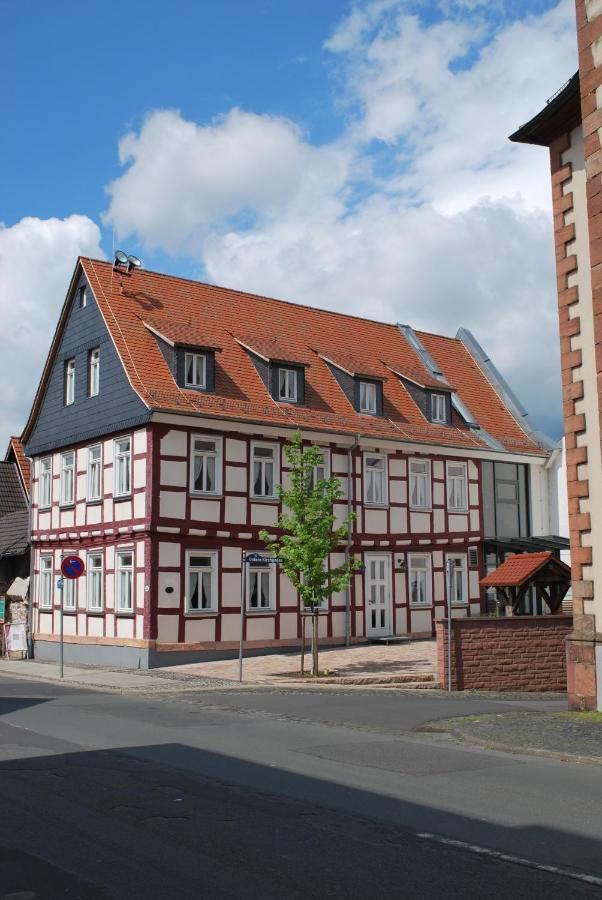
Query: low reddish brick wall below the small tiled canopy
point(514, 653)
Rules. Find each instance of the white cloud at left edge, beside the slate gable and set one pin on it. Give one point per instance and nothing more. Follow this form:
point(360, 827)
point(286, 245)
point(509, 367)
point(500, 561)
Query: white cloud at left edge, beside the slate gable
point(37, 257)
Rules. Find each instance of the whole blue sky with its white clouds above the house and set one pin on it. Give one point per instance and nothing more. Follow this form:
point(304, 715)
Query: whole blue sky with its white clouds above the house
point(350, 156)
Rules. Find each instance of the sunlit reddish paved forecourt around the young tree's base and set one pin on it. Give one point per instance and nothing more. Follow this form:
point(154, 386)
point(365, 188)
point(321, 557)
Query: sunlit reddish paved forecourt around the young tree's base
point(407, 663)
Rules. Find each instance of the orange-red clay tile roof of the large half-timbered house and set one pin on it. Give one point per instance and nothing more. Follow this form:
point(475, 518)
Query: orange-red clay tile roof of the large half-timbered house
point(128, 300)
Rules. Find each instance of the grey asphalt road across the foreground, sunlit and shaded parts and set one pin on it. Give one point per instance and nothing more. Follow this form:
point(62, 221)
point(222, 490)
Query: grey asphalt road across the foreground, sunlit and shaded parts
point(277, 793)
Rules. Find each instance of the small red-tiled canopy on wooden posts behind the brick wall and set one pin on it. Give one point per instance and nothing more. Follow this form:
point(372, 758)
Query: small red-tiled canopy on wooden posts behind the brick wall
point(550, 577)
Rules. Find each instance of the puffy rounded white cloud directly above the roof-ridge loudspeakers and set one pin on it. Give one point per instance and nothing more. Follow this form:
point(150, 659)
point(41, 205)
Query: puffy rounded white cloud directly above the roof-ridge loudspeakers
point(184, 178)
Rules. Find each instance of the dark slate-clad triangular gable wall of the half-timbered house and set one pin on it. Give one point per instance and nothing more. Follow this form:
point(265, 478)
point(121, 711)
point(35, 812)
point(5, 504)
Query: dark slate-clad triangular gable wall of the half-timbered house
point(116, 406)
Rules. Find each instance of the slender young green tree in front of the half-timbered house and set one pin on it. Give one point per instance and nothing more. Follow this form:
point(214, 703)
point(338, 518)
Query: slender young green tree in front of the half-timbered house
point(309, 534)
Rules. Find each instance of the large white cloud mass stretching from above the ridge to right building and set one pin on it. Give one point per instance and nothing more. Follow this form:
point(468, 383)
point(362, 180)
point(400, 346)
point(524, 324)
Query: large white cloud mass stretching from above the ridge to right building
point(422, 211)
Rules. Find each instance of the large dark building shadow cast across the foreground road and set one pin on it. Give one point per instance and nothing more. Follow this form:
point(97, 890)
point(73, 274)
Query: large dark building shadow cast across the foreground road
point(170, 820)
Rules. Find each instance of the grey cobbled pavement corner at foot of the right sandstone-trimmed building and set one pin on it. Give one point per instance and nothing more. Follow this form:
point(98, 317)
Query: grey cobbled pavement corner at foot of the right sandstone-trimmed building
point(567, 735)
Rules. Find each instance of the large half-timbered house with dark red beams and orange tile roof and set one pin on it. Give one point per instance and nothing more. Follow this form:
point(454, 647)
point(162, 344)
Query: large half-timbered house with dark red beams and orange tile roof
point(156, 440)
